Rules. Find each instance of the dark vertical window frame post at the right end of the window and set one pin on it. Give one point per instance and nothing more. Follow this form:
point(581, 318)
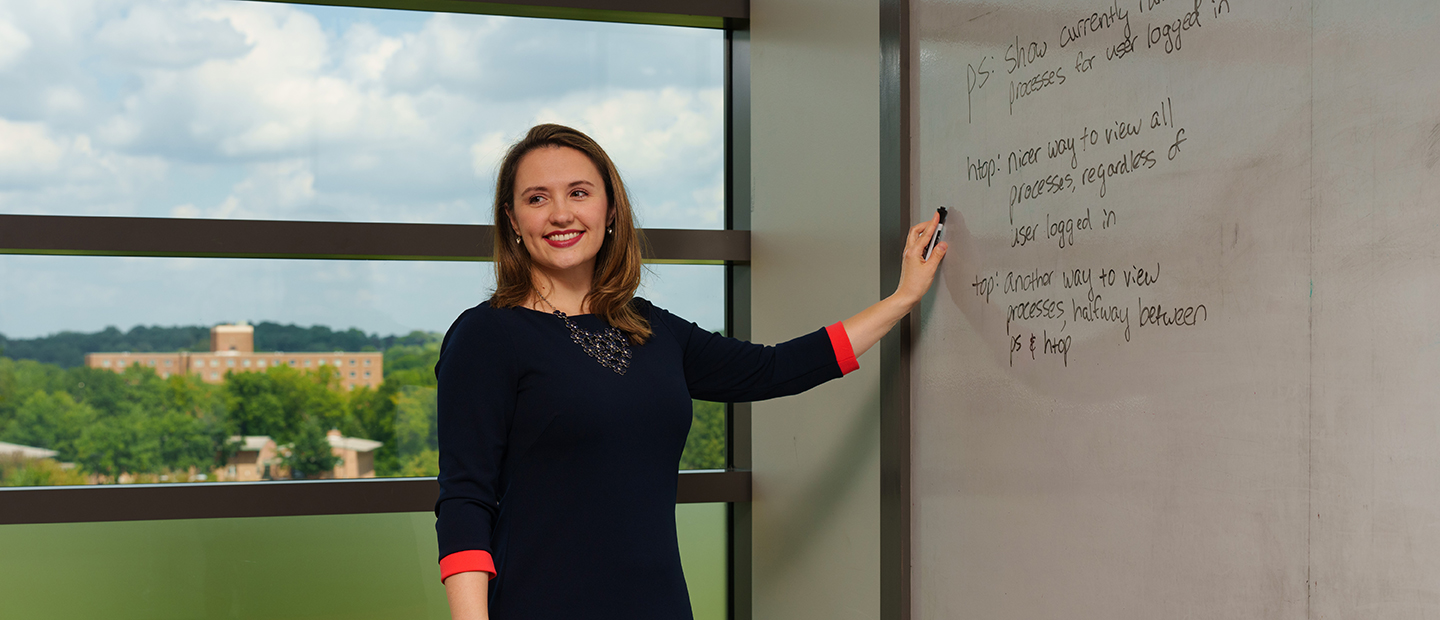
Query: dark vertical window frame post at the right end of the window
point(738, 301)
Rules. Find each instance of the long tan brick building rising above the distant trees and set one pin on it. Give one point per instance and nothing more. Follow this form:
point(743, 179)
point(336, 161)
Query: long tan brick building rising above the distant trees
point(233, 349)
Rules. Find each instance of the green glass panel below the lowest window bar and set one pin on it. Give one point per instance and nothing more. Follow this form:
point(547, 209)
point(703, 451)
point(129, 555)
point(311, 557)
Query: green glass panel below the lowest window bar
point(352, 567)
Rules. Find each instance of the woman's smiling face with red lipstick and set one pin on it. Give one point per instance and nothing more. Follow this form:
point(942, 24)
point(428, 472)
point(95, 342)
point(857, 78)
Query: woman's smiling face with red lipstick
point(559, 209)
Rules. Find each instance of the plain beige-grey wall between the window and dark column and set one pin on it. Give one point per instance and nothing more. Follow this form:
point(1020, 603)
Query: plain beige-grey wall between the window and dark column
point(816, 109)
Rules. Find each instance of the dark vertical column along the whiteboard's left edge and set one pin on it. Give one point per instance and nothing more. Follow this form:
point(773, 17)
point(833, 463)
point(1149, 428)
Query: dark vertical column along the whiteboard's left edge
point(895, 349)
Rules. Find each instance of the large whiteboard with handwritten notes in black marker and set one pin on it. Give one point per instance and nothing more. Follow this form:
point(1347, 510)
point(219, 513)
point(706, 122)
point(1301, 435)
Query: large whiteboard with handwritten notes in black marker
point(1184, 357)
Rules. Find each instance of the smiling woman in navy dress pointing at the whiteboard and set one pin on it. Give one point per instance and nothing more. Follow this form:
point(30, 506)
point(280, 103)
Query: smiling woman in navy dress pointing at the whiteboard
point(565, 401)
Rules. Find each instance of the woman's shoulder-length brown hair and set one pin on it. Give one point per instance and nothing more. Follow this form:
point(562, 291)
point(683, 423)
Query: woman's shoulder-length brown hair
point(618, 264)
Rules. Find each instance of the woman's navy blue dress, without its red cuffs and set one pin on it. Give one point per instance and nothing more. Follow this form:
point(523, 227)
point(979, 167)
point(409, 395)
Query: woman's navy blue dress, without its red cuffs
point(565, 471)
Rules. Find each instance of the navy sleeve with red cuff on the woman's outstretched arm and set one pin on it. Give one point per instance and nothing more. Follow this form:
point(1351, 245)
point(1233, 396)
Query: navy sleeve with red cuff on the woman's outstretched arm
point(732, 370)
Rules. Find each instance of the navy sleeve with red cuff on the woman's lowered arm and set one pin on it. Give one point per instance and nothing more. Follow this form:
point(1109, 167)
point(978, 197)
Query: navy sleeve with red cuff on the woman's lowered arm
point(476, 404)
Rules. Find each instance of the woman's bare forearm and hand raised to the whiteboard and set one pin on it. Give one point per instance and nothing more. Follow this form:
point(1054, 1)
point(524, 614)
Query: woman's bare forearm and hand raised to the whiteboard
point(917, 275)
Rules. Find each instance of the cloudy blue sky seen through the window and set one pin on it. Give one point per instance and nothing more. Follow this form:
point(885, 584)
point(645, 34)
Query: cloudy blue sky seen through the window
point(227, 109)
